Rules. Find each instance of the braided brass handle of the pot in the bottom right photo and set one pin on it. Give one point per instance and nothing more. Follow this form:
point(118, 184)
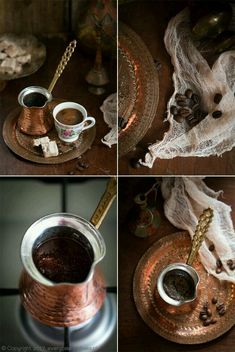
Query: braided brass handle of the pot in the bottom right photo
point(200, 232)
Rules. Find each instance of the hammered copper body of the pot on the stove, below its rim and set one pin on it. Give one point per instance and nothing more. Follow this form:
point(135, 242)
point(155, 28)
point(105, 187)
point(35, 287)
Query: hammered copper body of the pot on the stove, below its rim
point(62, 305)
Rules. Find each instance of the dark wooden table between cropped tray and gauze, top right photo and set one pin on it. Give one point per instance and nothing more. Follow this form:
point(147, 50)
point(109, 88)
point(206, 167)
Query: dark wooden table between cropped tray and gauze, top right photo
point(149, 19)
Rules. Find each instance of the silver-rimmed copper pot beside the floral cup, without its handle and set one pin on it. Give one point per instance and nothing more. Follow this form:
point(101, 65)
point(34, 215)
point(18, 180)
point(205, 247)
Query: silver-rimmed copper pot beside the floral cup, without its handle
point(35, 118)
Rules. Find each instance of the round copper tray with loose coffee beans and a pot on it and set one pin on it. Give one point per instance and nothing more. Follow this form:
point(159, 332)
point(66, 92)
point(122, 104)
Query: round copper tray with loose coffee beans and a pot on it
point(180, 324)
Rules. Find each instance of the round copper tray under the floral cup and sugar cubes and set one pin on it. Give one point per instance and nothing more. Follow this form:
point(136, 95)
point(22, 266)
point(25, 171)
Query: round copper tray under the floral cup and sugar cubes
point(22, 144)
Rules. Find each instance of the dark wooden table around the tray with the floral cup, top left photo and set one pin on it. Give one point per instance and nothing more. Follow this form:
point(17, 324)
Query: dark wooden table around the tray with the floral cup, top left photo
point(71, 87)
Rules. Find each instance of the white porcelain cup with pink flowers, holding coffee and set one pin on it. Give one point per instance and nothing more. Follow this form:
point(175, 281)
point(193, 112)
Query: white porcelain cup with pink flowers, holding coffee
point(71, 132)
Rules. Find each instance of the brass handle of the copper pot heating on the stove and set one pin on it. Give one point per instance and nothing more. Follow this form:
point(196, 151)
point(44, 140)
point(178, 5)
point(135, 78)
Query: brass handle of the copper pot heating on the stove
point(105, 203)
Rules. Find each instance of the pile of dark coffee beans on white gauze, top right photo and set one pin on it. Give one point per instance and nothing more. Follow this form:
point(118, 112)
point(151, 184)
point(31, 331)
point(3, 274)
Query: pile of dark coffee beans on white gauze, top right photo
point(188, 108)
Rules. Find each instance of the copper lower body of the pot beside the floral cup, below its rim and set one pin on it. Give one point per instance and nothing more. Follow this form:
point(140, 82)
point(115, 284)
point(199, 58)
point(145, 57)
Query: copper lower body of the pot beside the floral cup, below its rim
point(35, 121)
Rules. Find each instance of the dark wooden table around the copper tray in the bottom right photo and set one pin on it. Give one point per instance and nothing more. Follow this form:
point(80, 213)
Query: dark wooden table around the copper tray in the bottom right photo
point(134, 334)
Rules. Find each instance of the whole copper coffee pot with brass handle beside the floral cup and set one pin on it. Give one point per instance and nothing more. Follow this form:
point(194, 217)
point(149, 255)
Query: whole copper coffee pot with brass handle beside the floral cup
point(35, 118)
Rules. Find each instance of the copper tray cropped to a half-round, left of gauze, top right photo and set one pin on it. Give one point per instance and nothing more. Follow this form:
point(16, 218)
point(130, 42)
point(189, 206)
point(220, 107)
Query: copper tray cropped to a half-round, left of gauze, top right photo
point(138, 88)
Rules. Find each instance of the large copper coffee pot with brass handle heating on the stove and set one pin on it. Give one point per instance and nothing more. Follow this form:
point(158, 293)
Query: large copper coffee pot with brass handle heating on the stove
point(64, 303)
